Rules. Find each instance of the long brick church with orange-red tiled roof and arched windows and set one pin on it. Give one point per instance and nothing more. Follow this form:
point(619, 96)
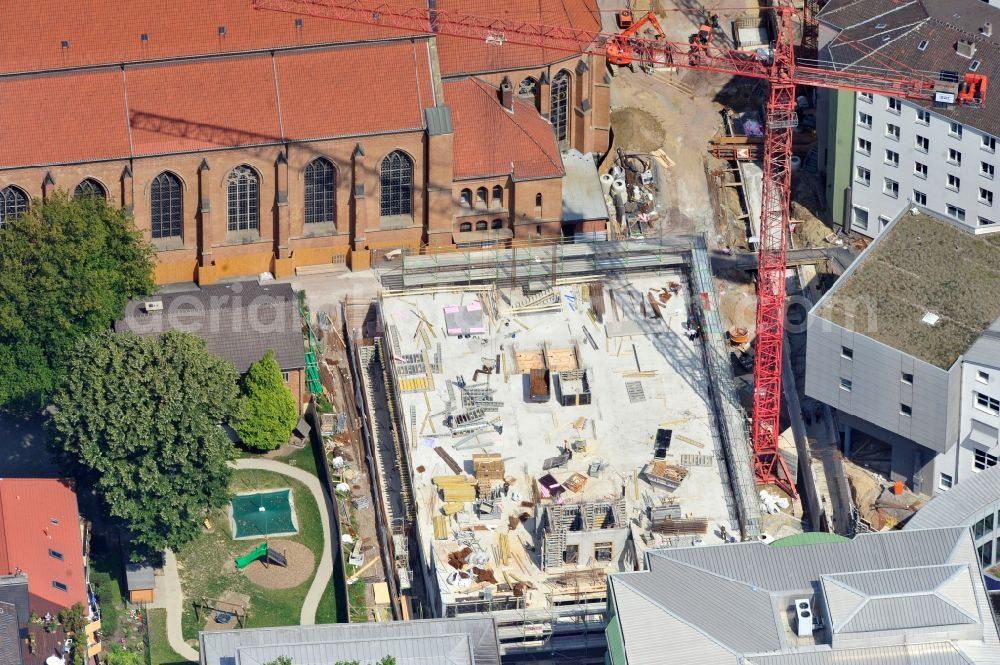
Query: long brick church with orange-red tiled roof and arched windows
point(247, 141)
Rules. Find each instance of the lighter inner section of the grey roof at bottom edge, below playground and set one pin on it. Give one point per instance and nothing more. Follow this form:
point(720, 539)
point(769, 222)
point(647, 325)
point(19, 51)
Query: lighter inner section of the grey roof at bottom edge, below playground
point(433, 650)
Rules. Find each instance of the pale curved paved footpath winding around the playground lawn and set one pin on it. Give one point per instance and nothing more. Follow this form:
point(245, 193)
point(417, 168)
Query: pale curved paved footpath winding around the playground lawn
point(171, 597)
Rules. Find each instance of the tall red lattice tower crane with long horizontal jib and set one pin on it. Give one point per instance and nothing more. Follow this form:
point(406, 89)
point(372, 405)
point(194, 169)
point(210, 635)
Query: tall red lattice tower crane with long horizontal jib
point(777, 66)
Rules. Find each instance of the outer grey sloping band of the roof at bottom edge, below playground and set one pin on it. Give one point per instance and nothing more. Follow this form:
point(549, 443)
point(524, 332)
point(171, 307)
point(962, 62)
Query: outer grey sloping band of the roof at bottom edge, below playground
point(220, 648)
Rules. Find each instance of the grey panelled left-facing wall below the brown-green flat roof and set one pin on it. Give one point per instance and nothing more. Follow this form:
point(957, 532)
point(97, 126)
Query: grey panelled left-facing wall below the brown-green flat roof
point(877, 389)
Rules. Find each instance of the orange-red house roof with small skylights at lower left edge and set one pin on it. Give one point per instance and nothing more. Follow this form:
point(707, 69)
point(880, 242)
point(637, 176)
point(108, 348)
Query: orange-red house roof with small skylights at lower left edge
point(40, 537)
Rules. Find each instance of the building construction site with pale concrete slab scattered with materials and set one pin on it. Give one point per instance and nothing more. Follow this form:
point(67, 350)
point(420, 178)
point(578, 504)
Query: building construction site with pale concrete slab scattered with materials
point(539, 424)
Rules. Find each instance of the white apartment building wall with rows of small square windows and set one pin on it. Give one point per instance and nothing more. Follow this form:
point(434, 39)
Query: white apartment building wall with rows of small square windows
point(938, 130)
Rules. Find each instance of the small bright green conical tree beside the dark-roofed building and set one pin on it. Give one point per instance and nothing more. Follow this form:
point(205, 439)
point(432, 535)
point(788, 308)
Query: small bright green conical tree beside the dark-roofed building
point(269, 412)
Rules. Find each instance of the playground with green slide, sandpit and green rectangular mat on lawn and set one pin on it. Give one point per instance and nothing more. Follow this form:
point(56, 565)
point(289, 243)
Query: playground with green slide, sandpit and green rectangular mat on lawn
point(255, 559)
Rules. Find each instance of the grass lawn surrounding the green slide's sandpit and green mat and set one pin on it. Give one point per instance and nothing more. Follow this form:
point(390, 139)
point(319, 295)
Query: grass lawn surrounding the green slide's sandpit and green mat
point(203, 563)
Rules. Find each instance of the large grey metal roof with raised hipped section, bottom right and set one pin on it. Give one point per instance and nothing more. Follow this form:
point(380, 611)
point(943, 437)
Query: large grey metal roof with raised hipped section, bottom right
point(735, 596)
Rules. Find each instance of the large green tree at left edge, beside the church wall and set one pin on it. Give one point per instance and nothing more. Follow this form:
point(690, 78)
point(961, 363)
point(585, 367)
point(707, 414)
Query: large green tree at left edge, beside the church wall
point(67, 268)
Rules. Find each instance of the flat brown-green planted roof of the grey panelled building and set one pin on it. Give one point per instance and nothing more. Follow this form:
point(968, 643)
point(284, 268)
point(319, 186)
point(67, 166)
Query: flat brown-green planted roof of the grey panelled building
point(921, 264)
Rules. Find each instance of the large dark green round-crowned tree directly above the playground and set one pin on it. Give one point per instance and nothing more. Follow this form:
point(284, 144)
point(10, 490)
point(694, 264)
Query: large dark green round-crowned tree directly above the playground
point(140, 420)
